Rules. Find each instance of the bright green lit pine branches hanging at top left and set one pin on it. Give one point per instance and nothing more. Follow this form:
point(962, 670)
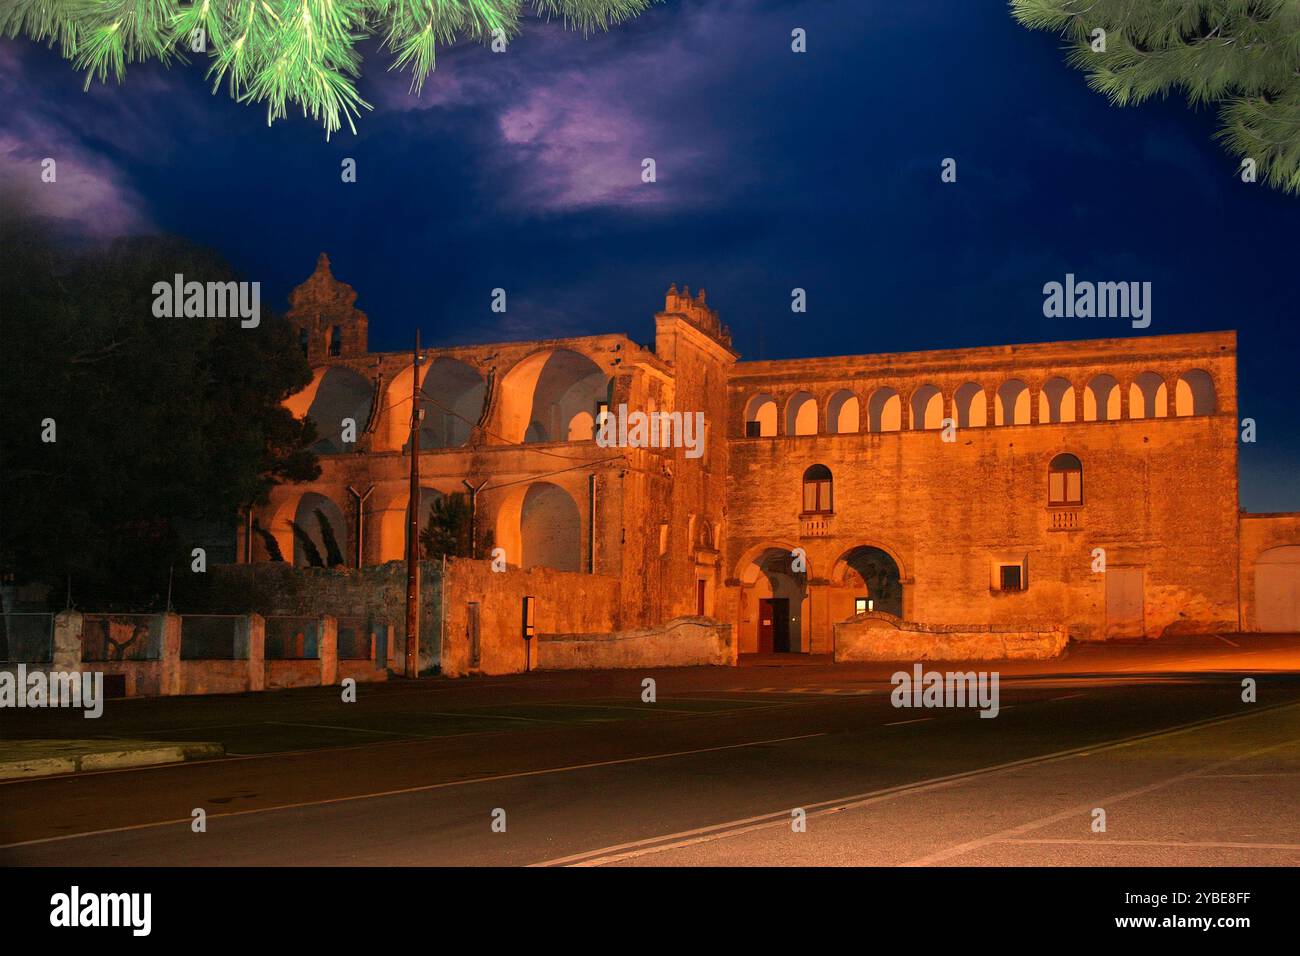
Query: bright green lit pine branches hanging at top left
point(284, 53)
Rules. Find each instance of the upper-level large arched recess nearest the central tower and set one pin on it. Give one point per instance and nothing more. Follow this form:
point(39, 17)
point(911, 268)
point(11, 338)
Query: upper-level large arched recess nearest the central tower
point(544, 395)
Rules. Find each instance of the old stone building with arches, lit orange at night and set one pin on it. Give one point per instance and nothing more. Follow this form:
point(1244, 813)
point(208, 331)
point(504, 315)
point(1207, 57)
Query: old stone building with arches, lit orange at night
point(1093, 485)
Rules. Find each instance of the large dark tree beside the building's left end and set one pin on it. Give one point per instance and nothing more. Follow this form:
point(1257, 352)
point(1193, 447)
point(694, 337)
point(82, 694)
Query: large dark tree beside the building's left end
point(166, 429)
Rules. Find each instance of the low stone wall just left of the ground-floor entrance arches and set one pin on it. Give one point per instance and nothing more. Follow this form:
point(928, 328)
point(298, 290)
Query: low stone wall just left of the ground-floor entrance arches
point(681, 643)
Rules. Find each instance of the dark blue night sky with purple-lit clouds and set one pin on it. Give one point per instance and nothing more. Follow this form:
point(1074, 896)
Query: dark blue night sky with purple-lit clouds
point(775, 171)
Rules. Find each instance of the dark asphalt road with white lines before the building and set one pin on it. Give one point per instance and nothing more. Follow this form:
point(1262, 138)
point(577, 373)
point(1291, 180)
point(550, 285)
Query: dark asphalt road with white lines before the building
point(583, 772)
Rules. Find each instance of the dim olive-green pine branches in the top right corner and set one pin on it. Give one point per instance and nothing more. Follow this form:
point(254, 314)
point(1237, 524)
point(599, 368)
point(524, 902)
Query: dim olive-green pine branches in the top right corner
point(1241, 55)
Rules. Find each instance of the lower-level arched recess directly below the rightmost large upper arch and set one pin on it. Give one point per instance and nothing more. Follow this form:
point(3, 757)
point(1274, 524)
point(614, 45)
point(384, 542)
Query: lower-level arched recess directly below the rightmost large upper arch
point(540, 525)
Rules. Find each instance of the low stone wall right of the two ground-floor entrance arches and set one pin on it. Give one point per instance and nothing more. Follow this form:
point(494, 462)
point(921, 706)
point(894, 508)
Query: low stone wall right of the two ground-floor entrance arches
point(879, 637)
